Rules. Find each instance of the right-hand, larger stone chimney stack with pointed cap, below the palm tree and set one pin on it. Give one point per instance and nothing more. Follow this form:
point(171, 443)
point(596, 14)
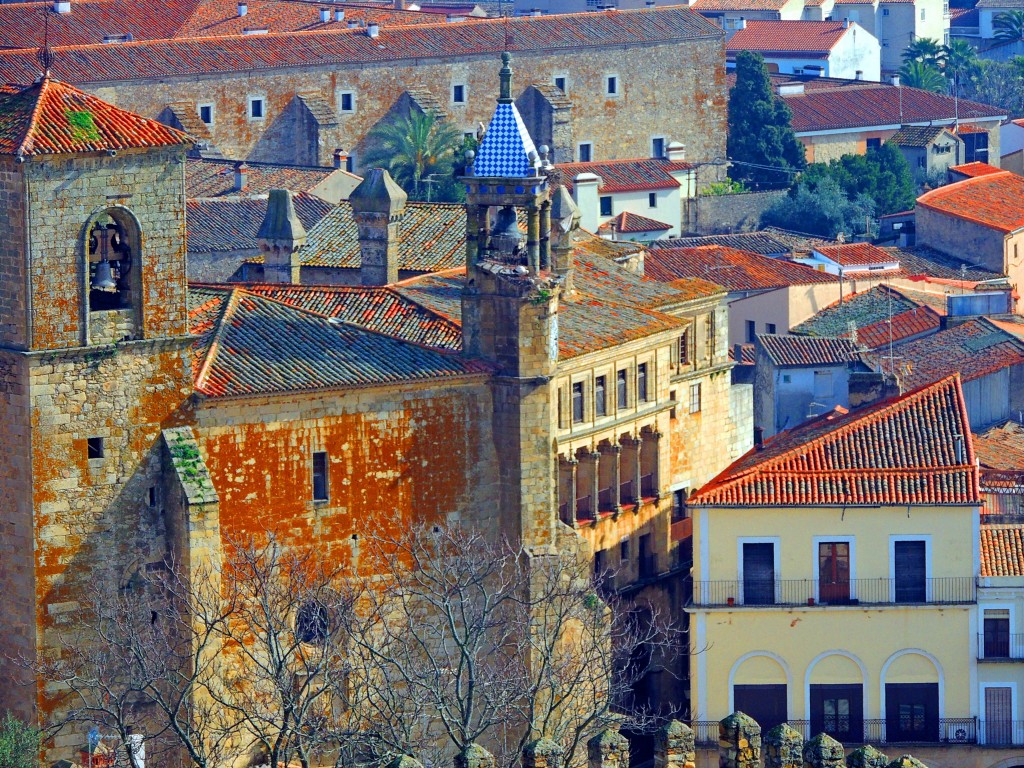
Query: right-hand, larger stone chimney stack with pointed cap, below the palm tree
point(378, 204)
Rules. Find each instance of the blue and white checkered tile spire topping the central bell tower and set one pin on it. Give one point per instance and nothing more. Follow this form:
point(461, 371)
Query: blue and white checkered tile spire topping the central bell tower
point(507, 150)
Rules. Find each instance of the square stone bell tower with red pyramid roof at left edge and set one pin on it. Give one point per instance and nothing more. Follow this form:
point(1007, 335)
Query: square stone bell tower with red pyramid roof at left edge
point(95, 360)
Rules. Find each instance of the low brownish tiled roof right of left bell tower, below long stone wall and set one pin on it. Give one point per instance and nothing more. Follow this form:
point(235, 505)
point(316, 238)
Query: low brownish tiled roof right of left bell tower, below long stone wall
point(216, 179)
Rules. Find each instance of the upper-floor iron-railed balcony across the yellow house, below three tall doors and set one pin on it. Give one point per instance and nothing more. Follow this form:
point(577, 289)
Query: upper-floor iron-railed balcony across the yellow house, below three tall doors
point(751, 592)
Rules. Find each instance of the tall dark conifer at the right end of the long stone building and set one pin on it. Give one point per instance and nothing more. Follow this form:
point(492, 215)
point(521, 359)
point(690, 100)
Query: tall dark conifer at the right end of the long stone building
point(761, 138)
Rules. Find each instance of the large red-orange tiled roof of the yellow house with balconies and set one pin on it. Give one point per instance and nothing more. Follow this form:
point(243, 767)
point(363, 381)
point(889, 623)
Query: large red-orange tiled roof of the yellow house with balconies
point(913, 450)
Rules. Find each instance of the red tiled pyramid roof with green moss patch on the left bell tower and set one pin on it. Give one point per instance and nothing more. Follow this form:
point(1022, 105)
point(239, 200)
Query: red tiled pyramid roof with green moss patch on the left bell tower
point(54, 118)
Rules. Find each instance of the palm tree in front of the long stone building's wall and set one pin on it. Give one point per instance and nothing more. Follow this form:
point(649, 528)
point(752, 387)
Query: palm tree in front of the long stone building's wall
point(414, 148)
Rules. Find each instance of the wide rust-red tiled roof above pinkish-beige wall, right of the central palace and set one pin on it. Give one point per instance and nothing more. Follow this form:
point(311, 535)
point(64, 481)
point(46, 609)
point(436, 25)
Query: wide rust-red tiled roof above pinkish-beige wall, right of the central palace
point(736, 270)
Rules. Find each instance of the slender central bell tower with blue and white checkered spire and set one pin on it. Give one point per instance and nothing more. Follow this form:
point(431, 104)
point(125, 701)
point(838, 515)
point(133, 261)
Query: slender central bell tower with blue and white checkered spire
point(510, 314)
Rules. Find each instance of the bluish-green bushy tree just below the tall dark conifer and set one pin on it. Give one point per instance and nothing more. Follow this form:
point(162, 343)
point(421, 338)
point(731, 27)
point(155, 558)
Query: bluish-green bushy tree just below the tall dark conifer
point(819, 206)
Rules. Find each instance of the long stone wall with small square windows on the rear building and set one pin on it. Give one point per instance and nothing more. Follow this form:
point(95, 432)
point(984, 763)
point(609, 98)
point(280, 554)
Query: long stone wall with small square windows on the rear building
point(676, 91)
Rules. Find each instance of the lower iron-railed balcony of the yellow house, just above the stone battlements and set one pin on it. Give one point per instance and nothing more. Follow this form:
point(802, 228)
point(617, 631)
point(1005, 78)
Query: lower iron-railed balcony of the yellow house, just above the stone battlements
point(880, 732)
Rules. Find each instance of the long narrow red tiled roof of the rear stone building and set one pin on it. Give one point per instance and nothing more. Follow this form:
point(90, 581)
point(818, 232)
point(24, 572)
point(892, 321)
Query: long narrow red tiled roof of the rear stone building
point(97, 64)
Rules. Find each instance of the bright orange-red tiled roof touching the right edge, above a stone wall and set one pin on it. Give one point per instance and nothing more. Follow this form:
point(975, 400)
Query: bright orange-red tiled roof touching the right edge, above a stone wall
point(993, 201)
